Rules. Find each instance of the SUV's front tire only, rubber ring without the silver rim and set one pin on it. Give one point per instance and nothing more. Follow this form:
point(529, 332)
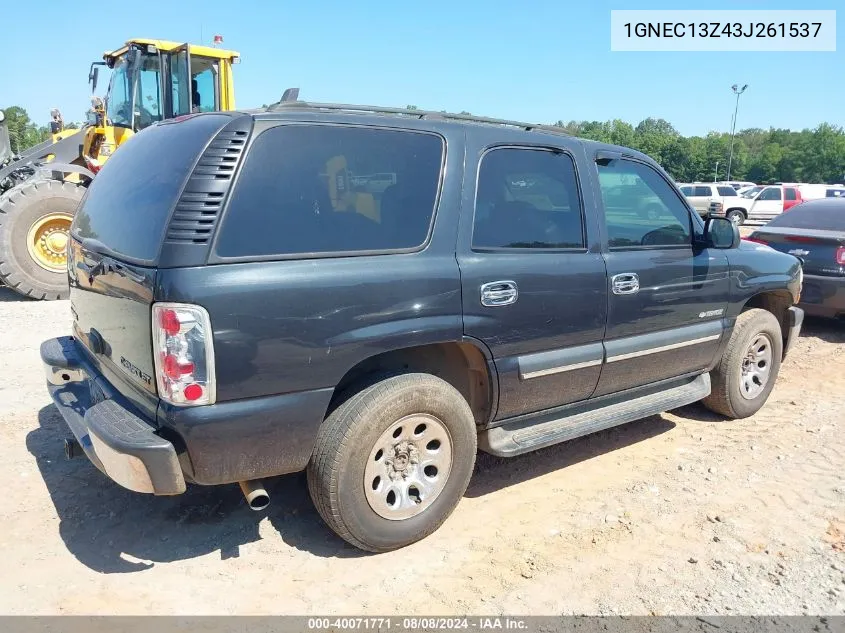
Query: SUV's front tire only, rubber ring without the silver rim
point(726, 395)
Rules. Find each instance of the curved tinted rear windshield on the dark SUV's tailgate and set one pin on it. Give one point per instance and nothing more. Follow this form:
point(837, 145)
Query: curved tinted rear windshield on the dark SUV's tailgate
point(128, 204)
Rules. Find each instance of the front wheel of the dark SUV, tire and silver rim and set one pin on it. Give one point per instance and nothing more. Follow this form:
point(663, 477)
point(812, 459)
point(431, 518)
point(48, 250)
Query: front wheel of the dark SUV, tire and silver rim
point(748, 369)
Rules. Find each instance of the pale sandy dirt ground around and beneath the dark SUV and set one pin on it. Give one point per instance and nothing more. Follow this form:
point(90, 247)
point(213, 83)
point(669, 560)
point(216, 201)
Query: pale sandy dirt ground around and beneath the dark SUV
point(681, 513)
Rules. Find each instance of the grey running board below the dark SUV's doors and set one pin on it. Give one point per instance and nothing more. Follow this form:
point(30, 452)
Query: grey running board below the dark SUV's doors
point(523, 437)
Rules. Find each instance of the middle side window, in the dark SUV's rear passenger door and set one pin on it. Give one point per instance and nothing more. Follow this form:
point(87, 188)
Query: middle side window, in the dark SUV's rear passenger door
point(527, 199)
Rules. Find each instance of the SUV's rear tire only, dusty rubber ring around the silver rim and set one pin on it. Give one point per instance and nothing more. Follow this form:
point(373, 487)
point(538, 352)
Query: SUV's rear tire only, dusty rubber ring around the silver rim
point(344, 444)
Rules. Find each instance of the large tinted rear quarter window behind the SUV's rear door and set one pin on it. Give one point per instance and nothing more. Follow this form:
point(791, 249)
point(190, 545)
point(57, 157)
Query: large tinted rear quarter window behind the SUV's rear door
point(333, 189)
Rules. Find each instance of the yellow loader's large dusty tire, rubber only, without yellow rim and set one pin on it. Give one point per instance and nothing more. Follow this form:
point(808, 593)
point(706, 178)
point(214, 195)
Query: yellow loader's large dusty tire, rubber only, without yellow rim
point(20, 208)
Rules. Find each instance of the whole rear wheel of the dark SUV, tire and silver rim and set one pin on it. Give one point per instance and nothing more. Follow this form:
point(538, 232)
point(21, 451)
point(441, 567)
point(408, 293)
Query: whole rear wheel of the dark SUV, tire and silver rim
point(392, 462)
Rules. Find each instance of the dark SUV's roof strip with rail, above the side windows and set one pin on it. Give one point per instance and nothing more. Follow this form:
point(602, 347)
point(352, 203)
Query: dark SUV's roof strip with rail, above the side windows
point(500, 130)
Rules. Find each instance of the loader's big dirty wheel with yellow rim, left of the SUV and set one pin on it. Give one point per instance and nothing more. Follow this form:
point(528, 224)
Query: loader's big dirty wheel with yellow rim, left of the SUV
point(34, 228)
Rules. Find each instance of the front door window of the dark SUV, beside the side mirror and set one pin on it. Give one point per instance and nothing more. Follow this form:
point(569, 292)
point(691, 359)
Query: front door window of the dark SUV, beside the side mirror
point(646, 212)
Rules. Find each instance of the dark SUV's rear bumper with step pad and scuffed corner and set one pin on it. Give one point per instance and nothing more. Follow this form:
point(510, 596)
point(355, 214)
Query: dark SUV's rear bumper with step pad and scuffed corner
point(120, 443)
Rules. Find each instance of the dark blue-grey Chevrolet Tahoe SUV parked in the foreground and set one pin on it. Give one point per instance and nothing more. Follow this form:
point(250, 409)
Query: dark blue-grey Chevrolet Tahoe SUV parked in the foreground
point(371, 294)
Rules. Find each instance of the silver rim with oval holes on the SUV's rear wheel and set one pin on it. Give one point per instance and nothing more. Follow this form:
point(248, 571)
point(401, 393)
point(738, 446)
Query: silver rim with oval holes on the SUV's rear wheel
point(408, 467)
